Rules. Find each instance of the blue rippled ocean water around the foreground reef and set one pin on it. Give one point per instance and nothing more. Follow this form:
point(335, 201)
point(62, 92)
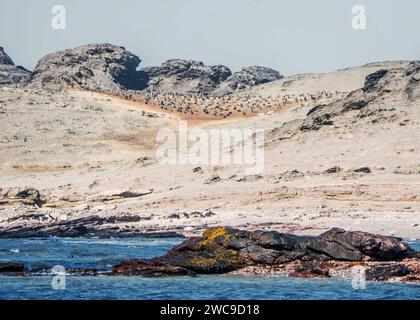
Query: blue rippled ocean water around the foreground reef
point(103, 253)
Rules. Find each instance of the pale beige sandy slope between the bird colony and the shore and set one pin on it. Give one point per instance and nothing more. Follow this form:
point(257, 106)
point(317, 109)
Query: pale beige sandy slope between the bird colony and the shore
point(82, 150)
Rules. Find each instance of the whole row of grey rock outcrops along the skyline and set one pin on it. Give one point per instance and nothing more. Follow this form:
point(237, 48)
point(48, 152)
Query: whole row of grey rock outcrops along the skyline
point(108, 68)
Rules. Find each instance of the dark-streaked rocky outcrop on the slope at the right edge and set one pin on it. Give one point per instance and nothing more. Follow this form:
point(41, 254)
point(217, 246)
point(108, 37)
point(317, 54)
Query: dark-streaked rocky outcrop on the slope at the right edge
point(387, 95)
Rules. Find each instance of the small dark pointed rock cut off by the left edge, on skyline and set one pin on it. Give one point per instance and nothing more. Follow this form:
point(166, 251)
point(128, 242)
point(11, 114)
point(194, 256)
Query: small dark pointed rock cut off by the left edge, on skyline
point(11, 74)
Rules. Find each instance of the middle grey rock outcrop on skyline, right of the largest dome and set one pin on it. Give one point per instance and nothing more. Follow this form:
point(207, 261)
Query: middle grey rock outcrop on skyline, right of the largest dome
point(185, 77)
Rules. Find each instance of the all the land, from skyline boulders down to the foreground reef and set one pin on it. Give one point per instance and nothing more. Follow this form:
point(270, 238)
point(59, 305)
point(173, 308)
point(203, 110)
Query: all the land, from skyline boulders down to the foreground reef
point(349, 187)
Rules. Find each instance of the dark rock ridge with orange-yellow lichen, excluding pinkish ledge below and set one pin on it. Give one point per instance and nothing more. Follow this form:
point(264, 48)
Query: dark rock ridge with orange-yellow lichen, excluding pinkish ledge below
point(222, 250)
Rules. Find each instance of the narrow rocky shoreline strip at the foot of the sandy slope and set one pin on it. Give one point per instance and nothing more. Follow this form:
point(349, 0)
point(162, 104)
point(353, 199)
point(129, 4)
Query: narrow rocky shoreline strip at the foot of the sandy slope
point(41, 225)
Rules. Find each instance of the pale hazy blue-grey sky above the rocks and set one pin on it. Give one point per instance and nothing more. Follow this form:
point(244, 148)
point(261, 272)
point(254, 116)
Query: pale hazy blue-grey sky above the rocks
point(292, 36)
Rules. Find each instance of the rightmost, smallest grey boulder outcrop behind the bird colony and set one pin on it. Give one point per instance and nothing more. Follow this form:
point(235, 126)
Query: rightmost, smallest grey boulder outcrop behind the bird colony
point(246, 78)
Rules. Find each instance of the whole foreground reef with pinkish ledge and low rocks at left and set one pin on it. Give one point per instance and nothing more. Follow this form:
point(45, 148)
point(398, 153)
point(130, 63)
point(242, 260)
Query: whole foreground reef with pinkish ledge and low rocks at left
point(333, 254)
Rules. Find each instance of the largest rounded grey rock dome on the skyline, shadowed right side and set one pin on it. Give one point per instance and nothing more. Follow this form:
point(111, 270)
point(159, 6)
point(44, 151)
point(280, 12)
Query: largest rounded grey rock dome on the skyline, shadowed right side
point(97, 67)
